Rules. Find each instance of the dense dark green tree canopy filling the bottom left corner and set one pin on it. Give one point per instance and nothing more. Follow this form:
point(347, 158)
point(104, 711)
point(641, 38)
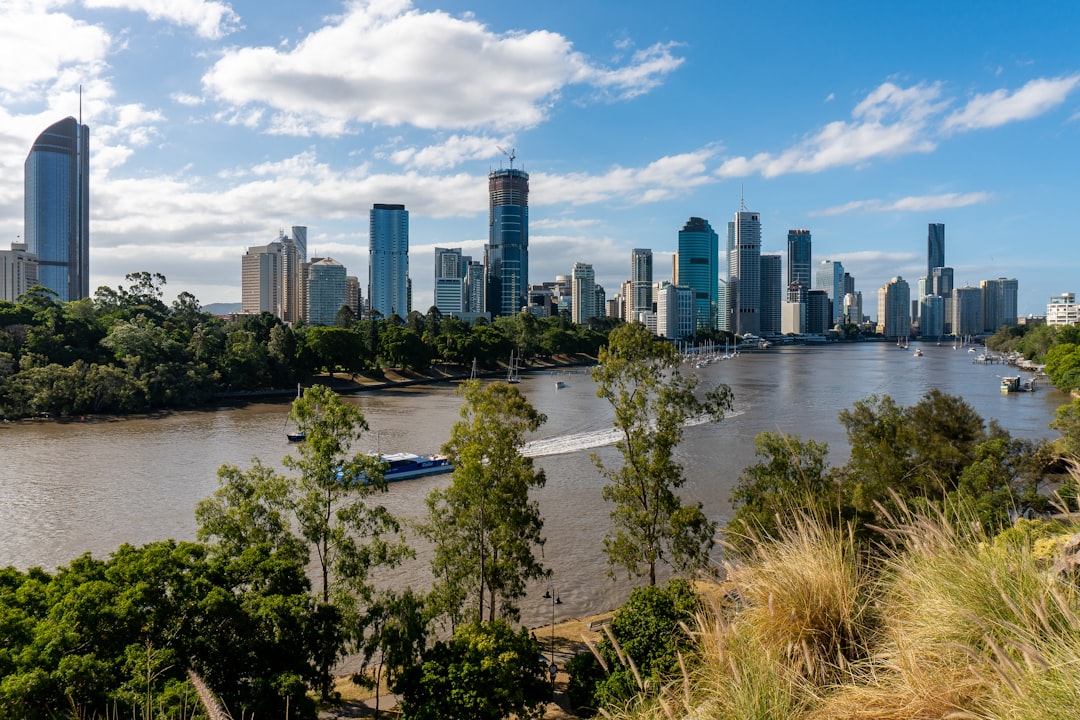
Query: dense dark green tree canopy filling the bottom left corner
point(117, 637)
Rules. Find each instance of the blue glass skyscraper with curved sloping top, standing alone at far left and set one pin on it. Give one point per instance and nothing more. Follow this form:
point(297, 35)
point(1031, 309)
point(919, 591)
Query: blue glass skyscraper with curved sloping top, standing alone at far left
point(57, 208)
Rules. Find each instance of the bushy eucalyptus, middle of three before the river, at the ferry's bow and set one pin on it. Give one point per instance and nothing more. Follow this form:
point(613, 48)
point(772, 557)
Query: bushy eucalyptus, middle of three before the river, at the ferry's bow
point(485, 527)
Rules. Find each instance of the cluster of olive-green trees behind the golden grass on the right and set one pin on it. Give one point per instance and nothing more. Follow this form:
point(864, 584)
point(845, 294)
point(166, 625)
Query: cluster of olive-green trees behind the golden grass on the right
point(938, 452)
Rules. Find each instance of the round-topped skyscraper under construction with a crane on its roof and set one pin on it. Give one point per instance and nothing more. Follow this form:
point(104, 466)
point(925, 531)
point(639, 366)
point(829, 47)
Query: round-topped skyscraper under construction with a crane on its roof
point(507, 253)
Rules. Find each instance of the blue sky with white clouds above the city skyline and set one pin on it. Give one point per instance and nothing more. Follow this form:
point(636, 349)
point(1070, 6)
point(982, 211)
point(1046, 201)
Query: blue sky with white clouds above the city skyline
point(217, 125)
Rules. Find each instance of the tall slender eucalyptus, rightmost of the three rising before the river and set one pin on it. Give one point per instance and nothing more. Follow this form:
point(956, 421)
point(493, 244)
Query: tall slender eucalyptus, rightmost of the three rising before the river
point(639, 374)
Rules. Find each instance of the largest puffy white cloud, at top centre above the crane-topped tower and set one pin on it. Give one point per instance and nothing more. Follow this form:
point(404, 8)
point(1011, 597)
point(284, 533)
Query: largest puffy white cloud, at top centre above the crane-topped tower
point(388, 64)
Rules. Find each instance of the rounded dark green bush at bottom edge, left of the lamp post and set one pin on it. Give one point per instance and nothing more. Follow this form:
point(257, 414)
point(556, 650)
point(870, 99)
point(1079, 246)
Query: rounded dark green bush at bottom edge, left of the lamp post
point(487, 672)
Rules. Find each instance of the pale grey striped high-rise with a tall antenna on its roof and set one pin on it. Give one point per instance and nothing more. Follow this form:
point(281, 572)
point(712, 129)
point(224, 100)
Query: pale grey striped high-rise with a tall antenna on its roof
point(745, 273)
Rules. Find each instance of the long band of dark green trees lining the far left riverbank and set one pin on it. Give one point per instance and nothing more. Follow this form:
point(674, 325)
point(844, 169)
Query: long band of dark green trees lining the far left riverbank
point(126, 351)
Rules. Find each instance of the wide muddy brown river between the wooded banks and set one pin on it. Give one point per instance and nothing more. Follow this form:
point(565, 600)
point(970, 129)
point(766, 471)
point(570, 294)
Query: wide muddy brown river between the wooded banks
point(69, 488)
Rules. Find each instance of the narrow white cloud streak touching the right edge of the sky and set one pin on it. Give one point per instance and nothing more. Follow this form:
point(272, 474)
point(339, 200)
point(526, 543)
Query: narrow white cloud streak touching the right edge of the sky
point(1001, 107)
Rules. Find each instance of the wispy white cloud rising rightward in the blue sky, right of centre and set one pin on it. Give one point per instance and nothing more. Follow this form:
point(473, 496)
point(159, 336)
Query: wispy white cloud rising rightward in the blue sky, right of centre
point(892, 121)
